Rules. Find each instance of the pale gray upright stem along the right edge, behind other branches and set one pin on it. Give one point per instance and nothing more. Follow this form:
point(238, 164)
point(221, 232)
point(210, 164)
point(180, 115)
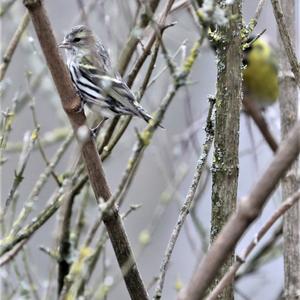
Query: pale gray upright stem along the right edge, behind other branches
point(288, 101)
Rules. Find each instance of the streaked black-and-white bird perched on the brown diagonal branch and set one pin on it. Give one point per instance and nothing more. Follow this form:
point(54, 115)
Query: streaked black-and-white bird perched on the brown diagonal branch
point(99, 86)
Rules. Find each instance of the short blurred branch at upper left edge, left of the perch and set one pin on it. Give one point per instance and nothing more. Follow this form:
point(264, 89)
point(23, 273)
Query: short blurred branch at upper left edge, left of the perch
point(9, 52)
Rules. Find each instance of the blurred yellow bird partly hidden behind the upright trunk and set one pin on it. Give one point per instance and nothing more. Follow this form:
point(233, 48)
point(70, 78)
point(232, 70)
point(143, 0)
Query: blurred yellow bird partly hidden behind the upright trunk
point(260, 73)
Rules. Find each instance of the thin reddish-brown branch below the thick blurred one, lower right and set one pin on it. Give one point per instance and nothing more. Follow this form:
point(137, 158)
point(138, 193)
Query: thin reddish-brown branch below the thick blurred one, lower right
point(240, 259)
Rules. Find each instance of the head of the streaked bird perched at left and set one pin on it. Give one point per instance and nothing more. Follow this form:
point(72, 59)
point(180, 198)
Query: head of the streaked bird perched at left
point(79, 39)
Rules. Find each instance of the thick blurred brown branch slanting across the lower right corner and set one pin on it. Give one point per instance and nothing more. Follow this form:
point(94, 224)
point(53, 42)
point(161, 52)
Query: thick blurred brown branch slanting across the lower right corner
point(248, 210)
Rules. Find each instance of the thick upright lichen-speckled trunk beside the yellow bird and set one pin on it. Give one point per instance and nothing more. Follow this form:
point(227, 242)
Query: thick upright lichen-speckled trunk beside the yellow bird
point(228, 101)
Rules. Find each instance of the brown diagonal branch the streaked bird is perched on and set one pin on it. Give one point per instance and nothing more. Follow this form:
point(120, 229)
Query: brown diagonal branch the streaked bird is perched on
point(71, 104)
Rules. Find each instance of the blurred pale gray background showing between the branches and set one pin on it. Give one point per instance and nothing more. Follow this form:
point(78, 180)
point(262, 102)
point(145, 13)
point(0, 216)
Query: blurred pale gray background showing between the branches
point(170, 152)
